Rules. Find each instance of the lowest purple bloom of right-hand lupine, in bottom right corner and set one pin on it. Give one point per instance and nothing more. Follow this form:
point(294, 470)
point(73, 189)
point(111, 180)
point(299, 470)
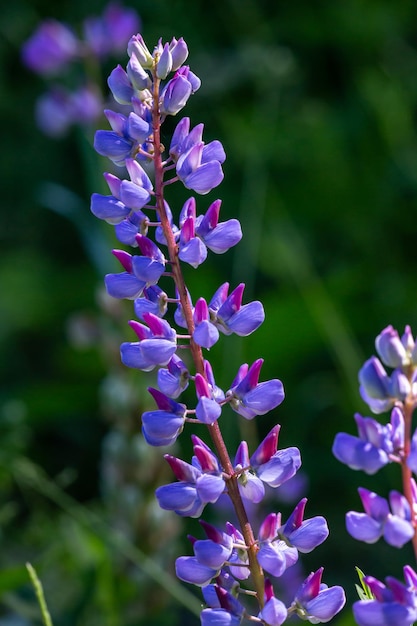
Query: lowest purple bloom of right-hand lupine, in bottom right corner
point(393, 603)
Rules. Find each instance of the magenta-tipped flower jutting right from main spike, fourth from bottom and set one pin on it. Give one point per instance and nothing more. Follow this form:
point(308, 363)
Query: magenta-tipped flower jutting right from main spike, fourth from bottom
point(248, 397)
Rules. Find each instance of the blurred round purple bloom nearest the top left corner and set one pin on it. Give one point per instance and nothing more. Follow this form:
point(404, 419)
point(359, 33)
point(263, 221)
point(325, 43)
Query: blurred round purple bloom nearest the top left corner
point(51, 47)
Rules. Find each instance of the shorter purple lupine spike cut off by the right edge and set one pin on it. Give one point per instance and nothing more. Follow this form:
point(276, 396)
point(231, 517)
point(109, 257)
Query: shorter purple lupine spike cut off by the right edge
point(393, 519)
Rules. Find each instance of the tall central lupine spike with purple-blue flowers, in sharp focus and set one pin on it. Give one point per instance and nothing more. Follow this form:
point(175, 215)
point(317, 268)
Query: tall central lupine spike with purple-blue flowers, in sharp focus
point(156, 84)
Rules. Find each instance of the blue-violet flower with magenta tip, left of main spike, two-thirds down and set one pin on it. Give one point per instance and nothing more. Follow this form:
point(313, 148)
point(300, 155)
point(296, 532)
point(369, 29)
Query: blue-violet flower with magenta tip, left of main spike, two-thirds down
point(162, 427)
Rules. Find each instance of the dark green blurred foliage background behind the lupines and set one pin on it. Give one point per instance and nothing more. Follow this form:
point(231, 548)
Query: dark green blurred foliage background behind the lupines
point(315, 103)
